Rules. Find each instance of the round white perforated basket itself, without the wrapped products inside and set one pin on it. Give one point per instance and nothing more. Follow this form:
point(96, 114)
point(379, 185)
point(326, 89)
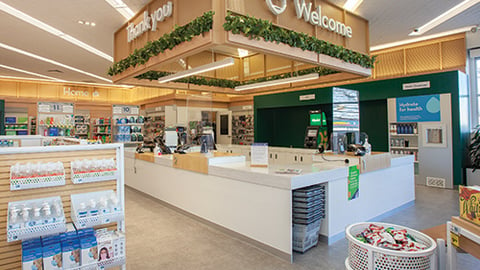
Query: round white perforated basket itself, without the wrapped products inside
point(363, 256)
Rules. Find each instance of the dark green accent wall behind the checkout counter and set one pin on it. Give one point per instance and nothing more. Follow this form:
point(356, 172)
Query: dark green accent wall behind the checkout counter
point(373, 112)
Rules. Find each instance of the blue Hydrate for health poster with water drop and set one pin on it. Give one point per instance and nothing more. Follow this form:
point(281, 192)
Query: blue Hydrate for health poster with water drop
point(418, 109)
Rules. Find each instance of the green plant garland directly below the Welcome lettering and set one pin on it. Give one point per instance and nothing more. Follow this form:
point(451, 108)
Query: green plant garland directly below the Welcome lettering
point(254, 28)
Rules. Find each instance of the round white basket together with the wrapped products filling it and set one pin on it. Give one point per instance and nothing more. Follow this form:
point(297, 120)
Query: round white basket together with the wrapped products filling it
point(383, 246)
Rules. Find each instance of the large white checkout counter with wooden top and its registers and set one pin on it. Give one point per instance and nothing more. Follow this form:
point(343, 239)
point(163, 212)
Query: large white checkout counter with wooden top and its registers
point(254, 203)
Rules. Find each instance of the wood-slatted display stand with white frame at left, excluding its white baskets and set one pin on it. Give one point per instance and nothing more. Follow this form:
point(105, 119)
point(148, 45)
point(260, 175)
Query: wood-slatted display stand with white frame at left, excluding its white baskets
point(10, 252)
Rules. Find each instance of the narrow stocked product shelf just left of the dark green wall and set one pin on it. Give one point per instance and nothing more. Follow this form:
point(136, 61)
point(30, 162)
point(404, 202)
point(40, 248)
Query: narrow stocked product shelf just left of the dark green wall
point(242, 128)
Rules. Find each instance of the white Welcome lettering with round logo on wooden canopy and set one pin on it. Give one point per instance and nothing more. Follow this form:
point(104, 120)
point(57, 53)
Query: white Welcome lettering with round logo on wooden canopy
point(313, 16)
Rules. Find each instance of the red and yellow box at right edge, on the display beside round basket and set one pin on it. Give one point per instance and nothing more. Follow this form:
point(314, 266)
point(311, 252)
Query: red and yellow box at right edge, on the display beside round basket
point(470, 203)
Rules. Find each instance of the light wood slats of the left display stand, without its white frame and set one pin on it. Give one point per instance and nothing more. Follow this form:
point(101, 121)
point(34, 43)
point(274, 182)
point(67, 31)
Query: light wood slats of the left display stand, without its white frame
point(10, 253)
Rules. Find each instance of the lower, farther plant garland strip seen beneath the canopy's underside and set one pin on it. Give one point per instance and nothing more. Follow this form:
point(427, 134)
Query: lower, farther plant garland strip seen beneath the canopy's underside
point(224, 83)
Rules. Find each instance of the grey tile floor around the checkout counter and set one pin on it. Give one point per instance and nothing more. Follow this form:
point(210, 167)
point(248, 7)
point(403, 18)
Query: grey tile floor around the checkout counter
point(161, 238)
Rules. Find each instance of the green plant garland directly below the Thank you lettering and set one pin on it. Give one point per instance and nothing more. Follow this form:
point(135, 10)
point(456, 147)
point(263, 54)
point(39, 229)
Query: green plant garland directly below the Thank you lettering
point(179, 35)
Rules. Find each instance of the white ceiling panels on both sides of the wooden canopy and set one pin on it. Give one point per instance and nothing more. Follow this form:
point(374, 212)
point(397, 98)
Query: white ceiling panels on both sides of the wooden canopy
point(390, 20)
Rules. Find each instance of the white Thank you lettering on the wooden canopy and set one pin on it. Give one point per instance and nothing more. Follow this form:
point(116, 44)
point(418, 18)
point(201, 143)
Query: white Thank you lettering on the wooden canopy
point(149, 22)
